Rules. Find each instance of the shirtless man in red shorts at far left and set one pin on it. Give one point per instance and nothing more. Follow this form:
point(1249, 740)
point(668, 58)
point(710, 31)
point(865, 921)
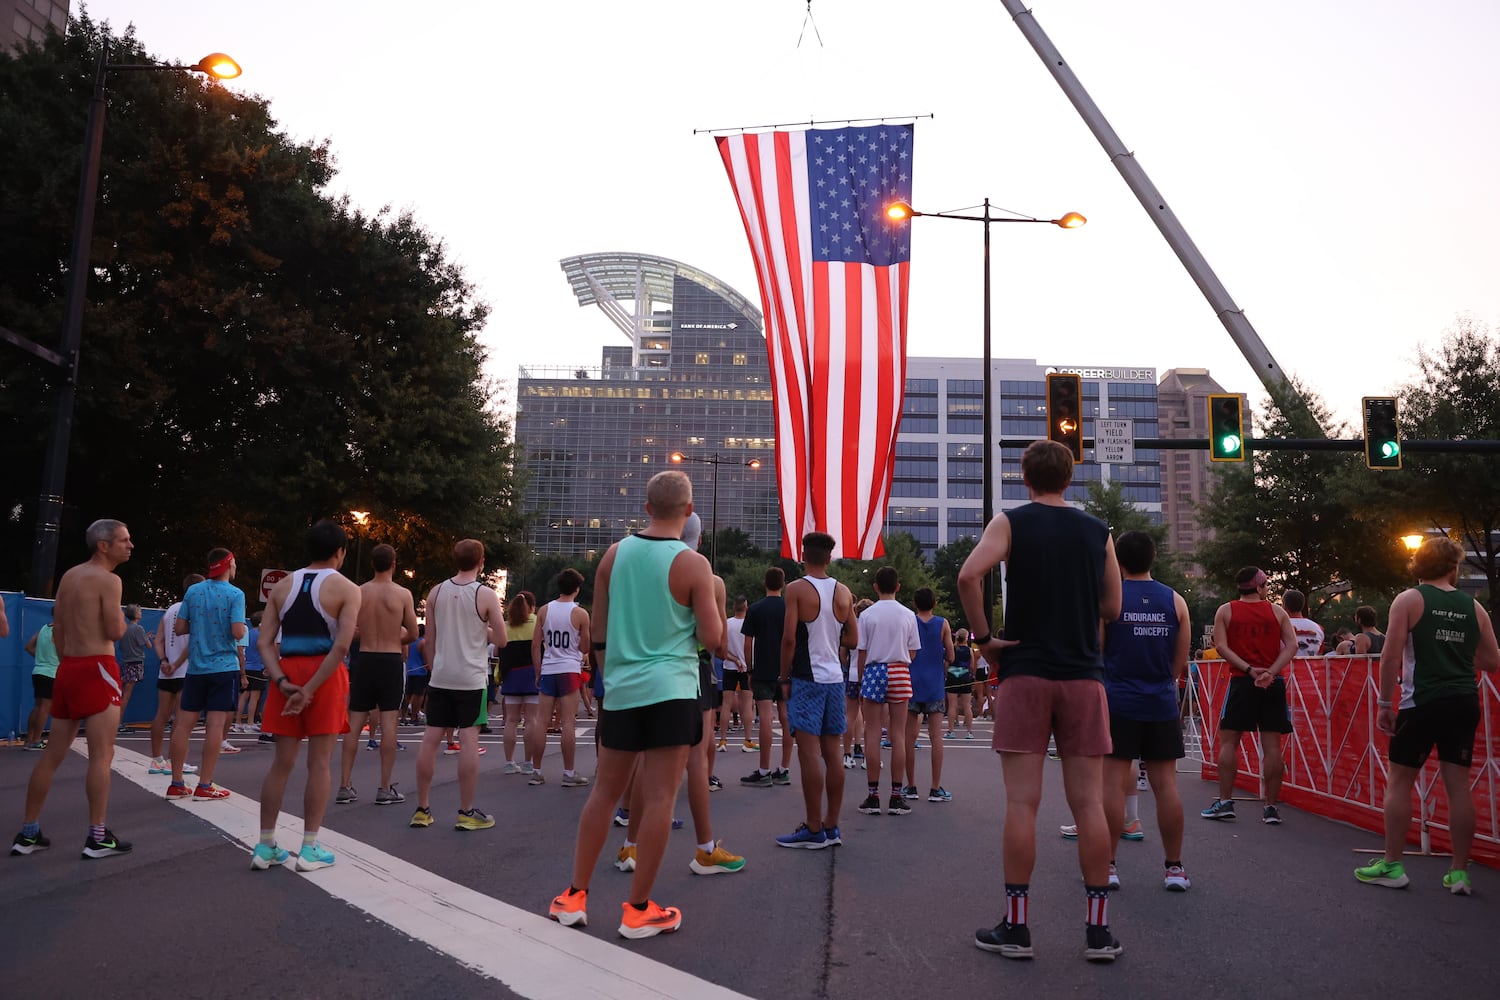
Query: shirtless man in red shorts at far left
point(86, 624)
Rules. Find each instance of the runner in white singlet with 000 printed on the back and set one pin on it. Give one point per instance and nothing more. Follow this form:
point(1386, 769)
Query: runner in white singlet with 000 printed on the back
point(559, 647)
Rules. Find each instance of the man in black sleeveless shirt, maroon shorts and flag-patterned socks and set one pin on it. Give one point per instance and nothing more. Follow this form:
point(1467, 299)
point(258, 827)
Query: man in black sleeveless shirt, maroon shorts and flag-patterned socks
point(1063, 582)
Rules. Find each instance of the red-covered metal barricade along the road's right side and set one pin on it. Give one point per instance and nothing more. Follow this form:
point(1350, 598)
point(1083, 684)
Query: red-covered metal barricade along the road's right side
point(1337, 758)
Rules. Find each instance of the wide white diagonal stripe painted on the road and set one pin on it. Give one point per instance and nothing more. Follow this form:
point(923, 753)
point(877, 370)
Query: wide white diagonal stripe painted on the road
point(527, 953)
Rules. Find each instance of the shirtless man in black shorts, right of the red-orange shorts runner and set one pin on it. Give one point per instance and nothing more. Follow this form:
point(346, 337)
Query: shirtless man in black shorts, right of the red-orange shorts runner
point(377, 683)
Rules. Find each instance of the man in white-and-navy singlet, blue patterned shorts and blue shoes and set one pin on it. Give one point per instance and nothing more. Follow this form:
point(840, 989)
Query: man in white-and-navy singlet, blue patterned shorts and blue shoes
point(820, 618)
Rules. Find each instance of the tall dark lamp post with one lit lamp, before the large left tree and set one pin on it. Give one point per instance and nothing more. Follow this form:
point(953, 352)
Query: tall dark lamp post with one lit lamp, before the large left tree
point(55, 464)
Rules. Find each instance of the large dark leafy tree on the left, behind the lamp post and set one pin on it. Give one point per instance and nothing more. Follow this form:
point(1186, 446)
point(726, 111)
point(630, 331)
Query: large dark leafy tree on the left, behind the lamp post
point(257, 355)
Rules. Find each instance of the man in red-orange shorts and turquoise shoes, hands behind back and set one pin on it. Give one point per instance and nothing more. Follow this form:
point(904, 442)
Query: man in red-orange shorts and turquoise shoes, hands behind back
point(305, 636)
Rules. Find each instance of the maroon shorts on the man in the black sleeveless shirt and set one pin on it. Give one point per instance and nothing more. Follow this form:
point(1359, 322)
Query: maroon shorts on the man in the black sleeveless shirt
point(1031, 710)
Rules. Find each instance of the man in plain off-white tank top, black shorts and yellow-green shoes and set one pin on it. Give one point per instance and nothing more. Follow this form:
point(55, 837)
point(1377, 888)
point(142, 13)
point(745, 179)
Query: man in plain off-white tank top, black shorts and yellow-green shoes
point(464, 618)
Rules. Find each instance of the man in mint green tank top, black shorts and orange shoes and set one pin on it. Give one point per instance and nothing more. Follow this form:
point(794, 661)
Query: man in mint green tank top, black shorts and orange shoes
point(655, 602)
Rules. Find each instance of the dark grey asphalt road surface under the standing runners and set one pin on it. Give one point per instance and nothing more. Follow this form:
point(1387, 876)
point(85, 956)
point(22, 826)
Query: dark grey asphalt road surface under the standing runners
point(1274, 912)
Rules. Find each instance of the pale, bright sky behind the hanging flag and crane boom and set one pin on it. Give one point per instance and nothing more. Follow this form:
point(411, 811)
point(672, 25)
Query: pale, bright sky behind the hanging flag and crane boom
point(1334, 161)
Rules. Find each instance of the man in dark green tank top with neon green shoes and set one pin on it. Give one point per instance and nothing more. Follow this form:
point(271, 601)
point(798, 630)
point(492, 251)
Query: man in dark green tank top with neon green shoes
point(1436, 641)
